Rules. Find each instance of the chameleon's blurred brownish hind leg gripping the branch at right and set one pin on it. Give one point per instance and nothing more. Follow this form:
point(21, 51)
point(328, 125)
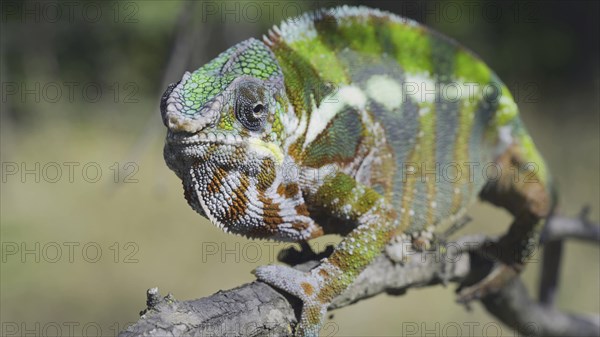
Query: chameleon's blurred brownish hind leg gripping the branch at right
point(526, 192)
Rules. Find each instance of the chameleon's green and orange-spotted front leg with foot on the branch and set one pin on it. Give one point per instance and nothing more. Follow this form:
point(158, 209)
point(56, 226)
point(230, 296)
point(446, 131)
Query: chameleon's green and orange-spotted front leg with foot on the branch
point(347, 199)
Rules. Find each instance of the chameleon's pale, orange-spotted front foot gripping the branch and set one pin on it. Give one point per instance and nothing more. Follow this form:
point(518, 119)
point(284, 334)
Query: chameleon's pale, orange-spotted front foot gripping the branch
point(303, 285)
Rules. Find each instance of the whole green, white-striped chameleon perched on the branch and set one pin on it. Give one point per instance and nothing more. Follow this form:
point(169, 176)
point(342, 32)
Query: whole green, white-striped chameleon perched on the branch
point(358, 122)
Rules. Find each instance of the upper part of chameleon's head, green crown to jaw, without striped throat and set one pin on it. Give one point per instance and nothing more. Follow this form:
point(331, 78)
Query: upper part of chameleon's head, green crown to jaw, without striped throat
point(224, 106)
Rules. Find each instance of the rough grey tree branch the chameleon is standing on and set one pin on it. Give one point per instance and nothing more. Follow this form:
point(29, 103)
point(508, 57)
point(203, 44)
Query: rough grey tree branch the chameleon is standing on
point(257, 309)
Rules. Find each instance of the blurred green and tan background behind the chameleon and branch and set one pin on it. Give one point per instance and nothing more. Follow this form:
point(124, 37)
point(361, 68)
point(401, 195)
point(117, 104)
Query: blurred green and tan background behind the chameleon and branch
point(91, 216)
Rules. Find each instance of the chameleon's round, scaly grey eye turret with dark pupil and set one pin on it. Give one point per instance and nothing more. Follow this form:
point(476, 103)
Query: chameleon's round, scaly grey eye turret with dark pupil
point(250, 108)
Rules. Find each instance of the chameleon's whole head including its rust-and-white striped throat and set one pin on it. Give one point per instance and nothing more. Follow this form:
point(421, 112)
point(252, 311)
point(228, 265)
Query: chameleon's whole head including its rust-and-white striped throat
point(225, 140)
